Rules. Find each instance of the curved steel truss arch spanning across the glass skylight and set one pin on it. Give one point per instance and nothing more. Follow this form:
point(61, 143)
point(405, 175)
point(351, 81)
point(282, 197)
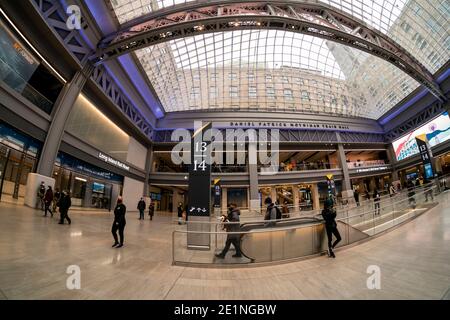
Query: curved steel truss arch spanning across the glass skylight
point(311, 18)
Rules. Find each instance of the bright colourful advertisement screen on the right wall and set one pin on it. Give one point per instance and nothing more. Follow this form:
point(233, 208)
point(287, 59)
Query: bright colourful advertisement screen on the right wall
point(437, 131)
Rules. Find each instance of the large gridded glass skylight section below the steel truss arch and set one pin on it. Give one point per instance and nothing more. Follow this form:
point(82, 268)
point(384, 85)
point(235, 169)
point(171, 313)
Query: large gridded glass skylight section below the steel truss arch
point(272, 70)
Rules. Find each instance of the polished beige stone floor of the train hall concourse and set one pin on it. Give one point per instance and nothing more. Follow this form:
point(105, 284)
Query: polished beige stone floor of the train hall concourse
point(35, 252)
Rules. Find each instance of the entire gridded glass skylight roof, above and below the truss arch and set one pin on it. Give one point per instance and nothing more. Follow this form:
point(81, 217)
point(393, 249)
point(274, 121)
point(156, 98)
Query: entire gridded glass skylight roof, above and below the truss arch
point(284, 71)
